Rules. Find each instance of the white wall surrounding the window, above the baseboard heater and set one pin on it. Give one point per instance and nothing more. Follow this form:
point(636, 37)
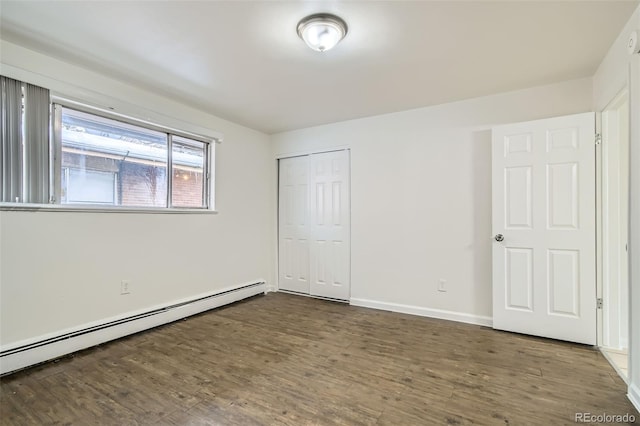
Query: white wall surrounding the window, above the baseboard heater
point(60, 271)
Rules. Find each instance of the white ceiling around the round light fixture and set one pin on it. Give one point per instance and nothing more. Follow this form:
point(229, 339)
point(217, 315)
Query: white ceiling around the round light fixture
point(242, 60)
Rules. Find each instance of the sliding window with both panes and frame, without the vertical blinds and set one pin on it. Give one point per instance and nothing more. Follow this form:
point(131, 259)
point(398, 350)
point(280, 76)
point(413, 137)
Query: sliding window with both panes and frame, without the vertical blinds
point(107, 161)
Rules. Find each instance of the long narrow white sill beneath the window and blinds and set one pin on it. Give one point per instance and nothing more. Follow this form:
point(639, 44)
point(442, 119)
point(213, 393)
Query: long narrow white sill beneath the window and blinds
point(83, 208)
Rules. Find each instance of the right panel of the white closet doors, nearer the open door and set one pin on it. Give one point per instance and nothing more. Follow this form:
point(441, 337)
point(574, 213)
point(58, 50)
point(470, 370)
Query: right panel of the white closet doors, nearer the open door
point(329, 229)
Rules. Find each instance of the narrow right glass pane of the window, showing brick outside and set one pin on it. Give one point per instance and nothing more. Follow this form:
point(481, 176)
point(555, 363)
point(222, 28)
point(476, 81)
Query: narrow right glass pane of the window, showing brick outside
point(188, 164)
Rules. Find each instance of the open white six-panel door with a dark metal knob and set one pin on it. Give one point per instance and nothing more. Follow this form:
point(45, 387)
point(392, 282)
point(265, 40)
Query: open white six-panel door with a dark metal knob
point(544, 228)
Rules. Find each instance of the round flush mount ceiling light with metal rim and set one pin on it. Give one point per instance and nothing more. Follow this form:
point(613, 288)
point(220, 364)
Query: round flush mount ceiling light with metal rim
point(322, 31)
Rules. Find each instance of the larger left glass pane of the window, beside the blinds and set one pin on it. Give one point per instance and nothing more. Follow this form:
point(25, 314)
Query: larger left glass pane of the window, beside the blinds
point(99, 152)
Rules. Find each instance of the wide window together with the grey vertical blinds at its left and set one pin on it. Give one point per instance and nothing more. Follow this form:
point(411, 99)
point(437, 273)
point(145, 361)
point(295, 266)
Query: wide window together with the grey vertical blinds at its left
point(97, 158)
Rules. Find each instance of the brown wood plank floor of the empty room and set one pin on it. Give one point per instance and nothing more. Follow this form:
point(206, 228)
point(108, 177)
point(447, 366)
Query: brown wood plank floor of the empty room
point(290, 360)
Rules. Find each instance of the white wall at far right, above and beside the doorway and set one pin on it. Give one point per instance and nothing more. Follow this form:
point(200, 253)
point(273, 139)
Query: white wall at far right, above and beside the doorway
point(616, 71)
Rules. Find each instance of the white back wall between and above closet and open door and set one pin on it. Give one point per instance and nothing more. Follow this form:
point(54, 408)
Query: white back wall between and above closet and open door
point(421, 194)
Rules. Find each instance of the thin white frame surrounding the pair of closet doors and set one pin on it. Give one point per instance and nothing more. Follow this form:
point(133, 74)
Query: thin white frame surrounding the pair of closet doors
point(294, 154)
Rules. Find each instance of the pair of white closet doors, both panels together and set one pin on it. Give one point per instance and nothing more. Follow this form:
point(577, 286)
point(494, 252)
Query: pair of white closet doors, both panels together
point(325, 254)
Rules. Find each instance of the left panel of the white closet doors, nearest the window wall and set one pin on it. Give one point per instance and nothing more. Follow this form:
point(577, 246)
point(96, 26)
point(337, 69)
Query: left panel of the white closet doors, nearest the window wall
point(293, 226)
